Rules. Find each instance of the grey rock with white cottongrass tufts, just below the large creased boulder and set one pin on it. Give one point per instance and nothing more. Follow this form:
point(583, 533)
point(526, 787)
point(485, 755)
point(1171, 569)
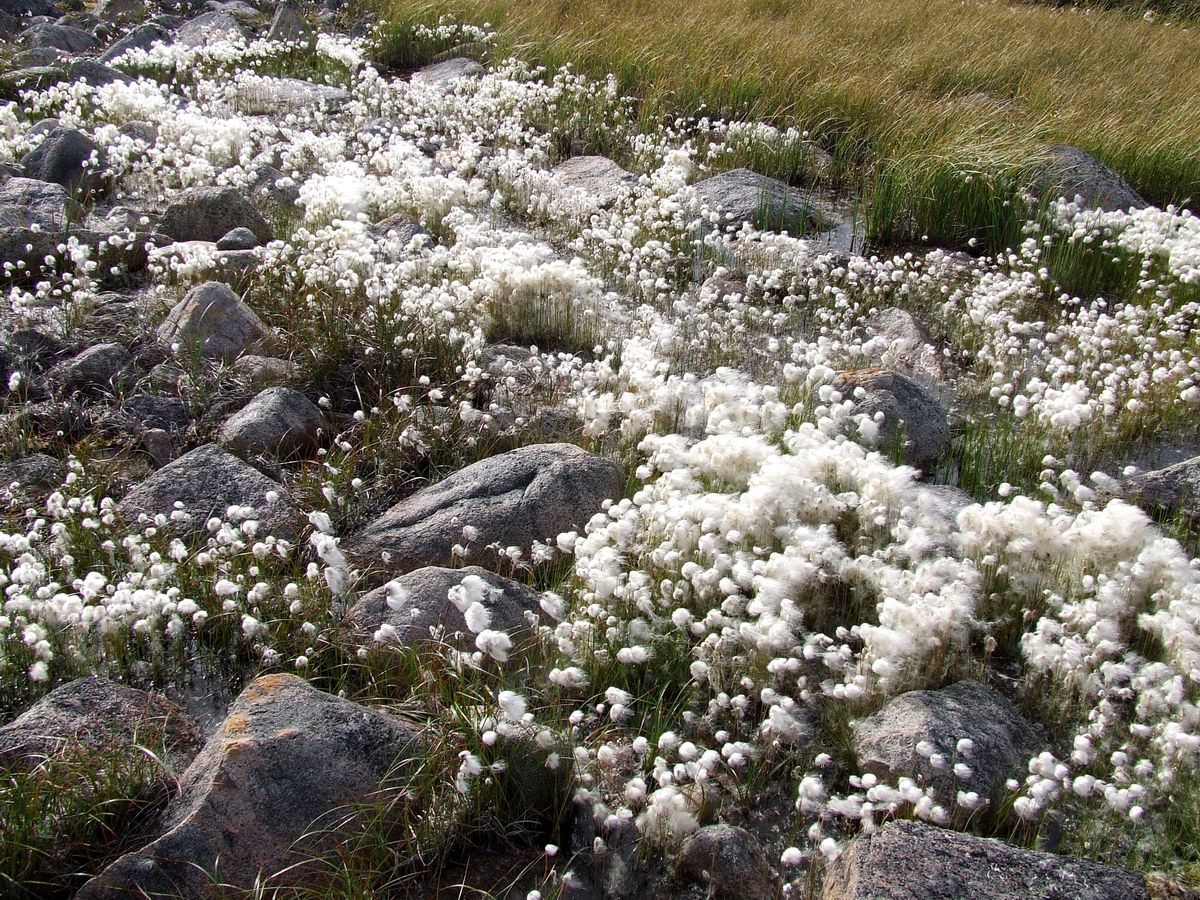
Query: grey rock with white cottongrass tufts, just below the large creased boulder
point(428, 607)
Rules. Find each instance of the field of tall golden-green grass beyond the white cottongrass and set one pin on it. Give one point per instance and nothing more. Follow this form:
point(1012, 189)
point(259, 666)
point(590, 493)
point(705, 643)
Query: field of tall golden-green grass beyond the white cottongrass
point(933, 113)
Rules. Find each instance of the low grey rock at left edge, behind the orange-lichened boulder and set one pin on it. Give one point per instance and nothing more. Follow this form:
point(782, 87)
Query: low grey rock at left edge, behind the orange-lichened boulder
point(95, 713)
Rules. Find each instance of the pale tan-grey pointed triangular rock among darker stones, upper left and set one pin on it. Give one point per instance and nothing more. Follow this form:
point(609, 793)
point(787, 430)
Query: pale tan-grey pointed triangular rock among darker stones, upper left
point(214, 320)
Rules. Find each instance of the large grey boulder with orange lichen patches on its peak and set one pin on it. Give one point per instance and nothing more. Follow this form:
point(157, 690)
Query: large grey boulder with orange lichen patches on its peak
point(286, 757)
